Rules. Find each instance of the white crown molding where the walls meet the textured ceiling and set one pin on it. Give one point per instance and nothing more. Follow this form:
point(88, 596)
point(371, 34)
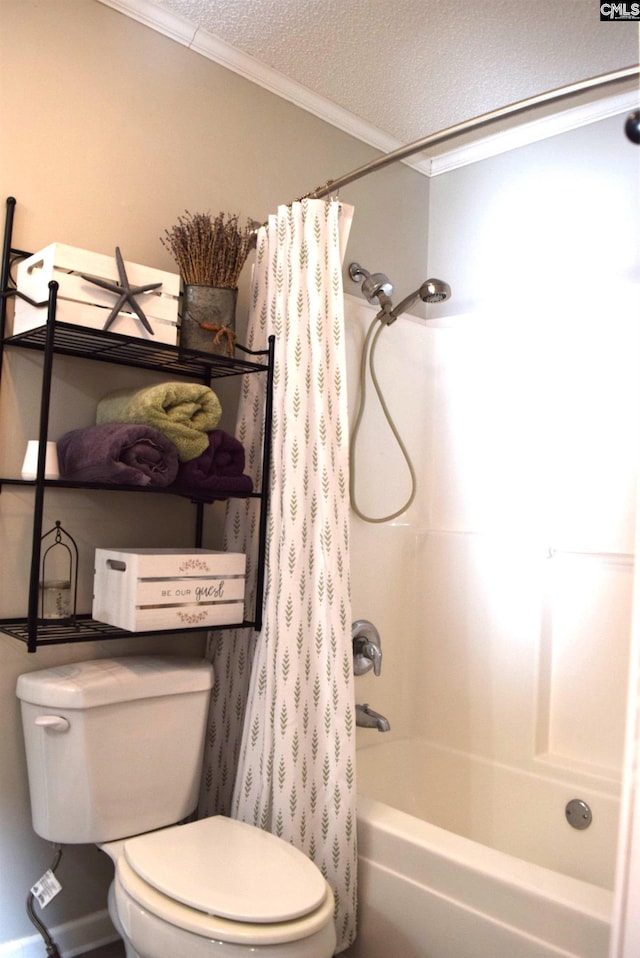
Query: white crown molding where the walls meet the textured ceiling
point(484, 146)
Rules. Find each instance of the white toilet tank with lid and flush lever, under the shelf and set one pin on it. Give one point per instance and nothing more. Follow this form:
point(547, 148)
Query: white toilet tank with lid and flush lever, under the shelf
point(114, 746)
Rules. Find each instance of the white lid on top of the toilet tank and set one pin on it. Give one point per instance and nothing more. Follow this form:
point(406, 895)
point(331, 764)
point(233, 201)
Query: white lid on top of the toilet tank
point(87, 684)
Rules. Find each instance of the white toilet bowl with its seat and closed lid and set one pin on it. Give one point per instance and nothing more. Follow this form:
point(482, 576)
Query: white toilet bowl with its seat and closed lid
point(217, 888)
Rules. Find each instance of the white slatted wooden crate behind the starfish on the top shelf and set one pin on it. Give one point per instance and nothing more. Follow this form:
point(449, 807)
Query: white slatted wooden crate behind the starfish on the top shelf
point(84, 304)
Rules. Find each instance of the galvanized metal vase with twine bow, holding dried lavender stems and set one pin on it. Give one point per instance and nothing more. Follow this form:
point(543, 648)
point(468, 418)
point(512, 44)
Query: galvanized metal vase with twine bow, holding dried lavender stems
point(208, 319)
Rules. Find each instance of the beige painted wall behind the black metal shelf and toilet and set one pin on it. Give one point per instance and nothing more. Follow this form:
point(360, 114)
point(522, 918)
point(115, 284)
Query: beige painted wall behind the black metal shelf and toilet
point(109, 132)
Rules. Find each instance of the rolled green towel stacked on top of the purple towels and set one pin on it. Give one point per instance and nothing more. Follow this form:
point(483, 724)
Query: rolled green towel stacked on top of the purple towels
point(184, 412)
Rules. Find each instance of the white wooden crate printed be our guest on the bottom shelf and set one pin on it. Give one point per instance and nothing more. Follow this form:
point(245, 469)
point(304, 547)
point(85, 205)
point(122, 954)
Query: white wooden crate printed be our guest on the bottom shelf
point(147, 589)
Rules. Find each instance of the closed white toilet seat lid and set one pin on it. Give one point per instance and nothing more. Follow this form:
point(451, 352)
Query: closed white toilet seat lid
point(224, 867)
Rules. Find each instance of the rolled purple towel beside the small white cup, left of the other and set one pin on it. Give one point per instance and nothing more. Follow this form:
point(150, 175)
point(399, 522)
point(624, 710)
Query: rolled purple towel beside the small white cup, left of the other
point(120, 453)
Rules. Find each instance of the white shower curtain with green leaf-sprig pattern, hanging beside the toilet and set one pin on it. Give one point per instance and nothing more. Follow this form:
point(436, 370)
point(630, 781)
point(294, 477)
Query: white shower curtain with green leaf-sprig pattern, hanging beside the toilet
point(293, 739)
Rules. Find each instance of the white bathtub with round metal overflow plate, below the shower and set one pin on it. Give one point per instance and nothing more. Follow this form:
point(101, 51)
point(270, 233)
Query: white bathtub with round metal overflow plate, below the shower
point(427, 892)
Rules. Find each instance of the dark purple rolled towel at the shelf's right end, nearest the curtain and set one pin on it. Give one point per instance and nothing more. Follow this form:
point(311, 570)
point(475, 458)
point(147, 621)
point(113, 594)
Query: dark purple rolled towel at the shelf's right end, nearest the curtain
point(219, 468)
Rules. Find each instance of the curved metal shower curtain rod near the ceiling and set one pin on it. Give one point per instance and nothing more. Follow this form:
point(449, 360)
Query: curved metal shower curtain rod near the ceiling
point(331, 186)
